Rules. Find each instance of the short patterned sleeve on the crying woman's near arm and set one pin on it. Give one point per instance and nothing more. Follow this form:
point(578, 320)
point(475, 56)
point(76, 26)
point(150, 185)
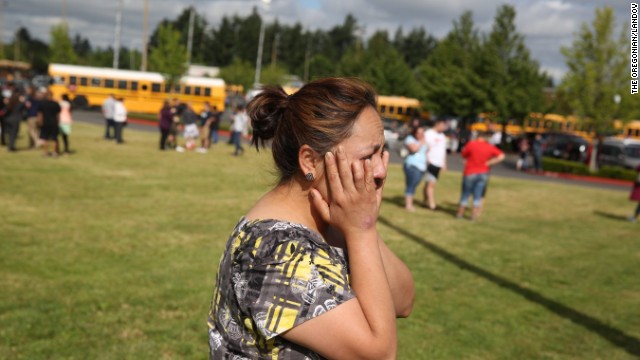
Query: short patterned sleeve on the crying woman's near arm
point(291, 281)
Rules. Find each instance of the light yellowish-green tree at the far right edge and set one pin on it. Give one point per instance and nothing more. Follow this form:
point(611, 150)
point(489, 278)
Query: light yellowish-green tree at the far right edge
point(598, 63)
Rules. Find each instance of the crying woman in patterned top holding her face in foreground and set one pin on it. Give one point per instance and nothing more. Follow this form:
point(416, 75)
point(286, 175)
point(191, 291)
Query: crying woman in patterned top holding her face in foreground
point(307, 259)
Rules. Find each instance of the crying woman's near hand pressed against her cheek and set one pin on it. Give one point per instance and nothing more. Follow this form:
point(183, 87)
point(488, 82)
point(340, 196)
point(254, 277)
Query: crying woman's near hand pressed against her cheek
point(354, 199)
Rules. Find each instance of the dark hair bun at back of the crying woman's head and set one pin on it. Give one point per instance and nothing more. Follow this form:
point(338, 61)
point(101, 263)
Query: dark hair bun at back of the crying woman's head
point(266, 111)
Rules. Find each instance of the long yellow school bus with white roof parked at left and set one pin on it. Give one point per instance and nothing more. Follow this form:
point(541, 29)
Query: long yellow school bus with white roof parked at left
point(142, 92)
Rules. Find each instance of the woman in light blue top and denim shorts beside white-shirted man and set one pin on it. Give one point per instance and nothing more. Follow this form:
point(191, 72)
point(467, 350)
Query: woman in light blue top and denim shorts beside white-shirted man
point(415, 164)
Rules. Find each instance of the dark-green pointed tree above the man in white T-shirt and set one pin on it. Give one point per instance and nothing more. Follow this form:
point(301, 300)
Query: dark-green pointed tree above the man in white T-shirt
point(450, 76)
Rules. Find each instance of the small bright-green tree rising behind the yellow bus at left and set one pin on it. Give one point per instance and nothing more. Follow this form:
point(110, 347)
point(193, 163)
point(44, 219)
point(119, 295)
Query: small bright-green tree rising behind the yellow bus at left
point(169, 55)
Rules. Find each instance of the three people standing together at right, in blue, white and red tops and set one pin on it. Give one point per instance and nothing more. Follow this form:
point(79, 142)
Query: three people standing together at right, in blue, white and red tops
point(427, 157)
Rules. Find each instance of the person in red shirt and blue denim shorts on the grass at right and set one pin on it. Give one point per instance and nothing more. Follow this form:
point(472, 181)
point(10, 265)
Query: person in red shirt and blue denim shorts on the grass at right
point(480, 155)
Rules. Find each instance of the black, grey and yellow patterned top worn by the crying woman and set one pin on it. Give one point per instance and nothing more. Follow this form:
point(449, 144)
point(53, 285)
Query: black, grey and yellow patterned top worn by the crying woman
point(273, 276)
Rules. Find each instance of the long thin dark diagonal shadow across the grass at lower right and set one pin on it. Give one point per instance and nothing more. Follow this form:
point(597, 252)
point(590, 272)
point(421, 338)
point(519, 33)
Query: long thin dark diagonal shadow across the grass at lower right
point(617, 337)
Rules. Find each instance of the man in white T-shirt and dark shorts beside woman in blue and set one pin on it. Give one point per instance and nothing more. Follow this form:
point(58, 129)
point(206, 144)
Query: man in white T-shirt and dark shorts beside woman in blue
point(436, 160)
